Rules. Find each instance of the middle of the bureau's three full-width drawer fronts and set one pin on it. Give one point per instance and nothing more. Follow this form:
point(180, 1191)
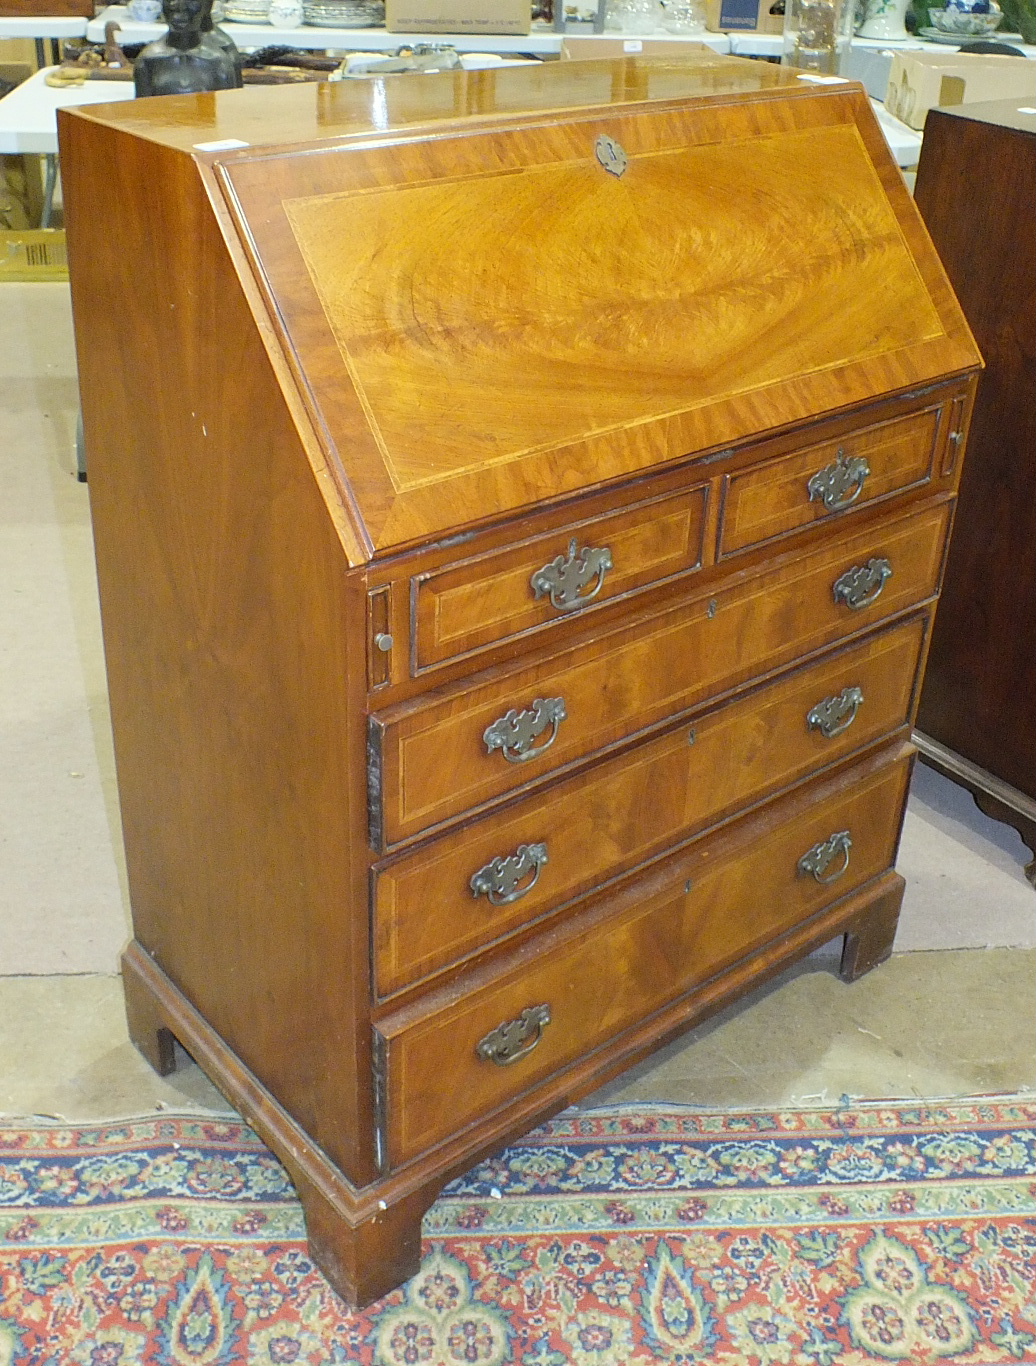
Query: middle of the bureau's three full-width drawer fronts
point(476, 886)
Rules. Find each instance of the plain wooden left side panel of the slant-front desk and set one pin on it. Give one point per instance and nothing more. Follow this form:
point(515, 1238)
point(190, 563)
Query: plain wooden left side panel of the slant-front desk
point(234, 641)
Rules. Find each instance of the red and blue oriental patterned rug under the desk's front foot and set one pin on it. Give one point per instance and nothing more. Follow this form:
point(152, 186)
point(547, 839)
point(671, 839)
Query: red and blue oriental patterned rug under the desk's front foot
point(841, 1237)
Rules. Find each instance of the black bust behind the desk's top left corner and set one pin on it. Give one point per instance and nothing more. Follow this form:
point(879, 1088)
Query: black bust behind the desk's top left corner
point(189, 57)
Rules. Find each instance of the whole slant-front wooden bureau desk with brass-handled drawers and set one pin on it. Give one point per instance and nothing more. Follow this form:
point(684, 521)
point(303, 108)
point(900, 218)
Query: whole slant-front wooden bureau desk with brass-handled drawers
point(520, 499)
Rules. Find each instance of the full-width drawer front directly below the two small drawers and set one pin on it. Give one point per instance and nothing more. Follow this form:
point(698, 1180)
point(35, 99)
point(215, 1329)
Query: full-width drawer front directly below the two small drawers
point(434, 760)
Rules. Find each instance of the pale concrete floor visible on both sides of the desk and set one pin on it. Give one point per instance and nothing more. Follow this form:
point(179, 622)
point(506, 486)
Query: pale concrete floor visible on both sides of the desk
point(953, 1013)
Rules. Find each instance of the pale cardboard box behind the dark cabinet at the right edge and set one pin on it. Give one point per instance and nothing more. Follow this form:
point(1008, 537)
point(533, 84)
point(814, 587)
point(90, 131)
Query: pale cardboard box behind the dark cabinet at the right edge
point(921, 81)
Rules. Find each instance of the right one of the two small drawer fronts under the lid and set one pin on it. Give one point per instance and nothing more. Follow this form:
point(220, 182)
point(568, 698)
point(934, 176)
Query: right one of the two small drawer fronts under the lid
point(806, 487)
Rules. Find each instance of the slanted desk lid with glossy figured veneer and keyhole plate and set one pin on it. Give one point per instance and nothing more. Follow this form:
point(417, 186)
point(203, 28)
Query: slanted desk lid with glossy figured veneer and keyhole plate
point(487, 316)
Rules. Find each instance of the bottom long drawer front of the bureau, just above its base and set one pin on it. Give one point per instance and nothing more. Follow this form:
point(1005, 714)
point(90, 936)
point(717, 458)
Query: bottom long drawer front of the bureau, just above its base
point(705, 912)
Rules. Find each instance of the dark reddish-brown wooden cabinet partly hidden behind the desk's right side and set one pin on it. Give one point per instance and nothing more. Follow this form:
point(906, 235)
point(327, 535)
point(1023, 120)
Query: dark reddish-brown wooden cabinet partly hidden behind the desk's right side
point(977, 706)
